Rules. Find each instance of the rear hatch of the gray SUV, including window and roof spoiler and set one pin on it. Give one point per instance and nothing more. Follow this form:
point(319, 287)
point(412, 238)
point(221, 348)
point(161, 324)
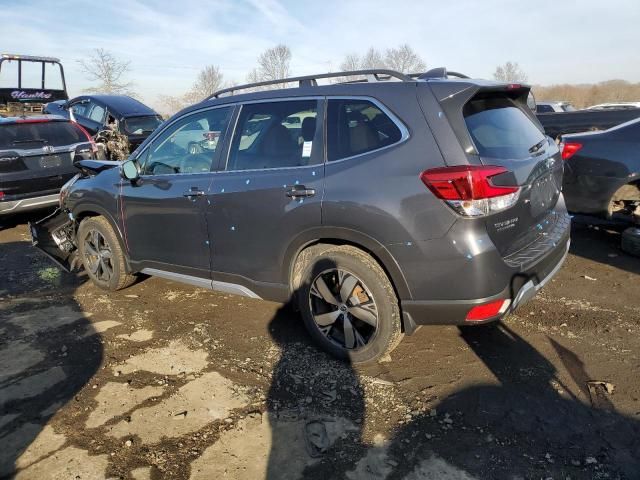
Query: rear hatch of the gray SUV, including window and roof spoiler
point(496, 128)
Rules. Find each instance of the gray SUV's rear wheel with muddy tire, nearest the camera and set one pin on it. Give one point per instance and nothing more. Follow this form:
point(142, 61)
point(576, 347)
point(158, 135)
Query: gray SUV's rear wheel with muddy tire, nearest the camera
point(347, 303)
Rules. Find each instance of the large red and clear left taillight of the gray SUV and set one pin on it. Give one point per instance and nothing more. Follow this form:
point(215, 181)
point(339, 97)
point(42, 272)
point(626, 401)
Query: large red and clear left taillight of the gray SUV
point(469, 190)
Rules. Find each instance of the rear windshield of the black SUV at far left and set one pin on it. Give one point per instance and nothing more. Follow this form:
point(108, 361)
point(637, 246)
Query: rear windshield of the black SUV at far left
point(33, 135)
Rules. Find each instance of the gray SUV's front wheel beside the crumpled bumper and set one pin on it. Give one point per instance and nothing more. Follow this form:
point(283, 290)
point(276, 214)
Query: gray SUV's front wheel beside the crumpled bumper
point(101, 254)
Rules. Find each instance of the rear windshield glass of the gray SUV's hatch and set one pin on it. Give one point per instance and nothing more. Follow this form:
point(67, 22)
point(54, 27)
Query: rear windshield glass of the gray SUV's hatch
point(500, 129)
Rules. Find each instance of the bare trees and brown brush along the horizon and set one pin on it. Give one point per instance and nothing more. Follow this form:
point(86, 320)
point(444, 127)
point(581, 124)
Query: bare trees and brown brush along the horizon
point(274, 63)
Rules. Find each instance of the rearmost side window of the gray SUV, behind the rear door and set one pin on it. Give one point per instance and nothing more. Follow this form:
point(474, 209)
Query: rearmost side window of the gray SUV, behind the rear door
point(358, 126)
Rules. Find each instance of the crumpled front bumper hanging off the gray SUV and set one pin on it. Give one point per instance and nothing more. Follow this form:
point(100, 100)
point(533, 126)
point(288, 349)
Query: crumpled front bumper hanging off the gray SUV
point(55, 237)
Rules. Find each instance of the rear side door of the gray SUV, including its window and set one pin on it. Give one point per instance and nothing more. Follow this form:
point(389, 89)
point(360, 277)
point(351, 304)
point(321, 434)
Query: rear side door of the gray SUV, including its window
point(268, 190)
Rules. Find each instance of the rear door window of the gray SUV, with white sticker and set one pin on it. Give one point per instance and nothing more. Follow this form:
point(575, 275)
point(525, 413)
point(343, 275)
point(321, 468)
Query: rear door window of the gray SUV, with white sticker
point(275, 135)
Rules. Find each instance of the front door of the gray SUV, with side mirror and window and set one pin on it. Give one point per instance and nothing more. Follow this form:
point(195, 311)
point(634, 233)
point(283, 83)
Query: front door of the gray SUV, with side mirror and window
point(164, 209)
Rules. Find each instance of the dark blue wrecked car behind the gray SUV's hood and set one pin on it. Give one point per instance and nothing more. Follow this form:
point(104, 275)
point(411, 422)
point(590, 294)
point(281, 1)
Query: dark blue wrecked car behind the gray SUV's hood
point(96, 112)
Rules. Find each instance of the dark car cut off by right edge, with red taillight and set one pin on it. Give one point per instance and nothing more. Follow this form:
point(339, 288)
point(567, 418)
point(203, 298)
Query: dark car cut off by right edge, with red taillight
point(603, 171)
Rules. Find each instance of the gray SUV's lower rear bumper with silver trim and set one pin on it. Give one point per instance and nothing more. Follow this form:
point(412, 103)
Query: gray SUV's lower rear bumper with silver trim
point(522, 287)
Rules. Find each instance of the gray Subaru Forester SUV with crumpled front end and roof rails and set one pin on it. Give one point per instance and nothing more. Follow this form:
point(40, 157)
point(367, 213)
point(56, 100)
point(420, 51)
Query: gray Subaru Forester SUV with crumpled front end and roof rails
point(377, 204)
